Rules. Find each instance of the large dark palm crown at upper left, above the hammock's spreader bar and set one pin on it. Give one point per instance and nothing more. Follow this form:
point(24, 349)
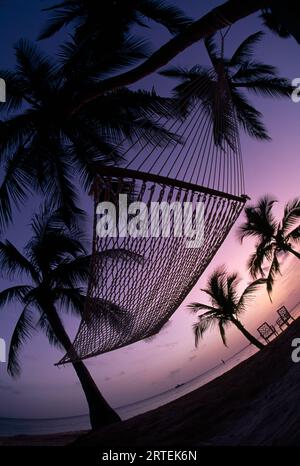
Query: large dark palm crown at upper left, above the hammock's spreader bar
point(43, 149)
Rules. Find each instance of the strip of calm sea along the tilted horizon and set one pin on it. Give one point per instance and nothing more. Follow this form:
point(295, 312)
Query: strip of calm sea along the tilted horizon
point(9, 427)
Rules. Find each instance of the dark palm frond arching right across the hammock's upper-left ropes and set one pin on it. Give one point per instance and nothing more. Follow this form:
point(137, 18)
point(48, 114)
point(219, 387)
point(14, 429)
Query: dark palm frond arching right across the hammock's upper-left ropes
point(127, 114)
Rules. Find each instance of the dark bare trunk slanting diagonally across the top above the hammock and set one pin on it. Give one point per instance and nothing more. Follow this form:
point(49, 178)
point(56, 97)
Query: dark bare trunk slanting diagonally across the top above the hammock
point(220, 17)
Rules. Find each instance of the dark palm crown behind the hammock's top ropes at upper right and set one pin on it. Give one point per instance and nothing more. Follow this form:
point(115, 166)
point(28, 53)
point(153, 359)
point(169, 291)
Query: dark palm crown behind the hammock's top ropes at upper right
point(221, 88)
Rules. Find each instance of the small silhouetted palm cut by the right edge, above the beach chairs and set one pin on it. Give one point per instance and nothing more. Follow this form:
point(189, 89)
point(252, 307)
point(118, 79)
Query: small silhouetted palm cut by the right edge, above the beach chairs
point(274, 237)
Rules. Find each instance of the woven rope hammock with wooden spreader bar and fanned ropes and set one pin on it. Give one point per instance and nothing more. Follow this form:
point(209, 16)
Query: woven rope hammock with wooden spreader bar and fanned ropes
point(137, 283)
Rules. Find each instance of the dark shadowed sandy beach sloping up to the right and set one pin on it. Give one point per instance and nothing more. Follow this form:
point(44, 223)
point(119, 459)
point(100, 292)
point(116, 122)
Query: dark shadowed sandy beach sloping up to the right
point(256, 403)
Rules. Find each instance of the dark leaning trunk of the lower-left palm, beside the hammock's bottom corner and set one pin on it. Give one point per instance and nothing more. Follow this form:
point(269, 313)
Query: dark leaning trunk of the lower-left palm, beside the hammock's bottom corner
point(101, 414)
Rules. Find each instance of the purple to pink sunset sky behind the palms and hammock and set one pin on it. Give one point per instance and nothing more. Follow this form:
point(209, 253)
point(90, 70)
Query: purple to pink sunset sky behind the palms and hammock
point(148, 368)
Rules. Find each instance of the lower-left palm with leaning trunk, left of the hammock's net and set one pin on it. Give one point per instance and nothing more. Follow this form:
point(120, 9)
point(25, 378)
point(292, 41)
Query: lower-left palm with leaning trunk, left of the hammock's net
point(56, 266)
